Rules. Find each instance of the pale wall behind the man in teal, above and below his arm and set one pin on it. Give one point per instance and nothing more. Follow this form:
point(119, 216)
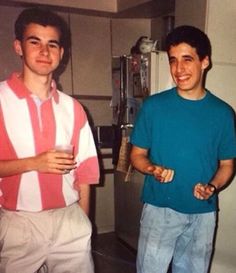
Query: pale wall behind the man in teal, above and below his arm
point(220, 26)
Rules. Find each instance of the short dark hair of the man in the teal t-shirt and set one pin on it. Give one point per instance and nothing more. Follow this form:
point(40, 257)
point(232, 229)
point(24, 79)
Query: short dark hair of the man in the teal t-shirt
point(192, 36)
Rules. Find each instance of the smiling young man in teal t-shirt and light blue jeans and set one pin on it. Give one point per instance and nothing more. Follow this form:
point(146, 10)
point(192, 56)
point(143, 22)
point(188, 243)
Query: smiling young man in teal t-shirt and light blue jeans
point(184, 142)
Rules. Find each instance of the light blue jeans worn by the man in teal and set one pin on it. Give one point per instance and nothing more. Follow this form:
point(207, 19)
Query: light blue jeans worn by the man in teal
point(165, 235)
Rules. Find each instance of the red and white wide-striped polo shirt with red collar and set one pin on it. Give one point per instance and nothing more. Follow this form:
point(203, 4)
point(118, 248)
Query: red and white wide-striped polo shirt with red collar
point(27, 130)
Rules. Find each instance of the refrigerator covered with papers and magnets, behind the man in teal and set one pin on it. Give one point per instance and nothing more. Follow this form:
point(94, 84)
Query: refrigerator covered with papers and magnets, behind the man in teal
point(134, 78)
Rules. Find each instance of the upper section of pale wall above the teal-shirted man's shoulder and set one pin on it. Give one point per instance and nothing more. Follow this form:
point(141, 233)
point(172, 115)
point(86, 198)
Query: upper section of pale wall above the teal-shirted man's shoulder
point(220, 27)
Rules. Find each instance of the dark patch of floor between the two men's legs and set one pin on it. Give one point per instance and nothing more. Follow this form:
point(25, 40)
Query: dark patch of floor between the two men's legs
point(112, 256)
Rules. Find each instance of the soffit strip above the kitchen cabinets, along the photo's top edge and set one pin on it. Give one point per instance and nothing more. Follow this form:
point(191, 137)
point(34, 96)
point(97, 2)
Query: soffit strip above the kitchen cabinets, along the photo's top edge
point(107, 8)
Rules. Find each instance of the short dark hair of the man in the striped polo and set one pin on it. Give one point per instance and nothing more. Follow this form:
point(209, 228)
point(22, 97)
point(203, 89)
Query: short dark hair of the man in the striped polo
point(43, 17)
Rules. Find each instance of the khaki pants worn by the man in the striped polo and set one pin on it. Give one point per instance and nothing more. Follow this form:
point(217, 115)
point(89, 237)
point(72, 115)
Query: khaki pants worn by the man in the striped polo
point(60, 238)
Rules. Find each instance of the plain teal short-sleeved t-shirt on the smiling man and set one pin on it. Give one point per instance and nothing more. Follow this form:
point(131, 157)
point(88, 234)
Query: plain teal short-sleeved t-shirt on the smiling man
point(188, 136)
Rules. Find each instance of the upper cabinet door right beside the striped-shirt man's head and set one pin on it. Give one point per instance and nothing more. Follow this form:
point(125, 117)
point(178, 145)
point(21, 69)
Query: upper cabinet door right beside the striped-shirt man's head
point(91, 55)
